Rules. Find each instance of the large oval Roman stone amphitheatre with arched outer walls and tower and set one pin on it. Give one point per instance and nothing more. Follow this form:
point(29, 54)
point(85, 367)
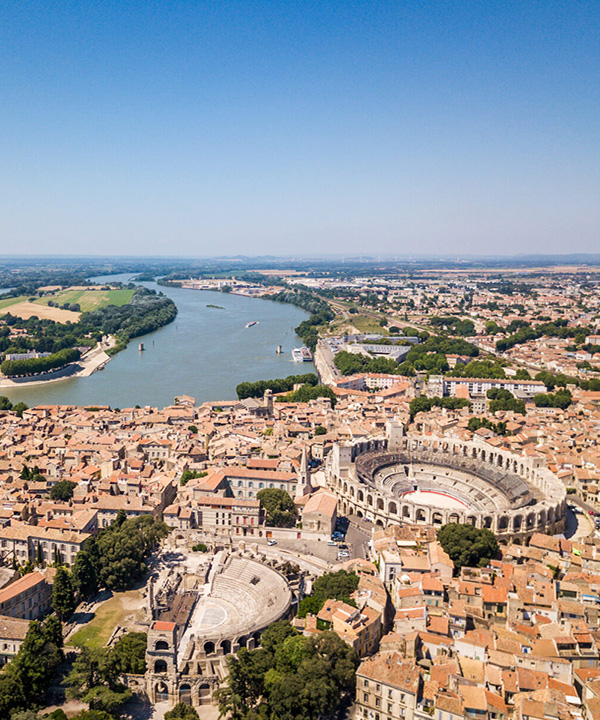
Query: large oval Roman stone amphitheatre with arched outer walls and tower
point(434, 481)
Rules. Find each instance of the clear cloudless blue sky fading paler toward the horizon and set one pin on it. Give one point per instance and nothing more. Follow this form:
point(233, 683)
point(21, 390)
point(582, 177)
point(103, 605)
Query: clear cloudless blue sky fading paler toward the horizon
point(298, 127)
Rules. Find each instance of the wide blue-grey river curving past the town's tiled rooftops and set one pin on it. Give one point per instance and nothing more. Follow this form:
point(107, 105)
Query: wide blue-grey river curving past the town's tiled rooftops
point(204, 353)
